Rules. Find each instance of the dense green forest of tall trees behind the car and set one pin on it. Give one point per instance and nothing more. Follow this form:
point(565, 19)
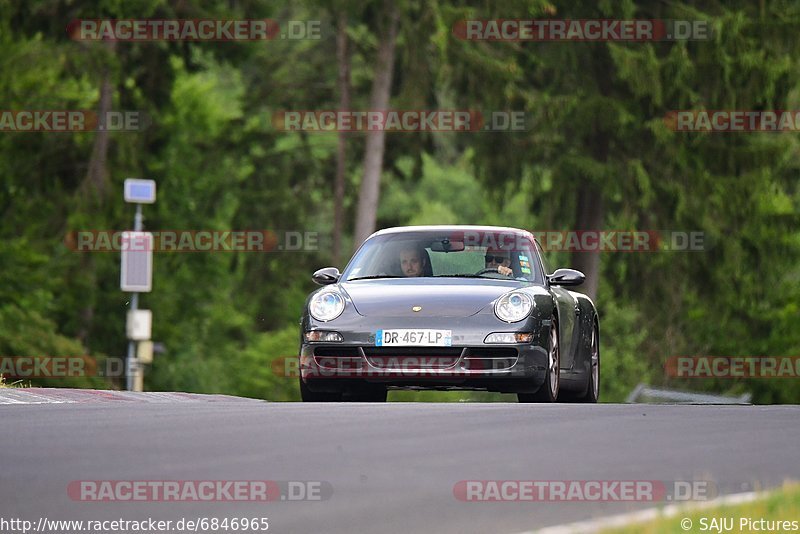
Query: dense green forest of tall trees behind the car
point(598, 154)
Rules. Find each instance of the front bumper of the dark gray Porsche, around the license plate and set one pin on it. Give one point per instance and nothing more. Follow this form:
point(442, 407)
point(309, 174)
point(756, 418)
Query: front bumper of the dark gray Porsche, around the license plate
point(469, 363)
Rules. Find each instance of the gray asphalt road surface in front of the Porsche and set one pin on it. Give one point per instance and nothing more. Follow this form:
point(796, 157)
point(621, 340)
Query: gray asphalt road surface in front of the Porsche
point(391, 467)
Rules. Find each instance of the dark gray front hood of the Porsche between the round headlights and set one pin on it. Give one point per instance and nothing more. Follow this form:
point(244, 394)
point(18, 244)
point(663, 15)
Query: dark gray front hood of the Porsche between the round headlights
point(440, 298)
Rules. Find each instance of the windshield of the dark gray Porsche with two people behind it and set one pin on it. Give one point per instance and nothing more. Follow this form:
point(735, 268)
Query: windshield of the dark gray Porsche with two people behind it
point(453, 254)
